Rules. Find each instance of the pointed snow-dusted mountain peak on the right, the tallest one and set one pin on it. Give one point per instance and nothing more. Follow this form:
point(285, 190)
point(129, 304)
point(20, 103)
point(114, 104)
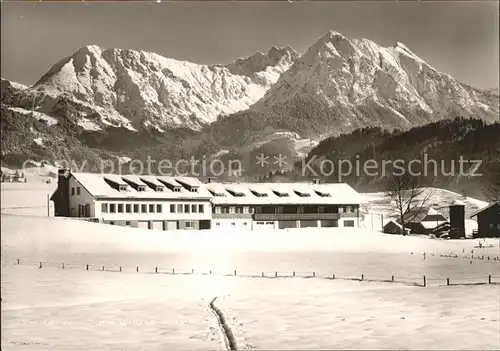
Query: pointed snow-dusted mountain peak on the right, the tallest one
point(344, 84)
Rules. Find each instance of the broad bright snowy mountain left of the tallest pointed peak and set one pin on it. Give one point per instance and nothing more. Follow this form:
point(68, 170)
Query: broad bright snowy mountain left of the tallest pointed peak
point(146, 89)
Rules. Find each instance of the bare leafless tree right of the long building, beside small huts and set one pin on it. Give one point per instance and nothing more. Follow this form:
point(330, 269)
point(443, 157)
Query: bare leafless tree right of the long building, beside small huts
point(409, 196)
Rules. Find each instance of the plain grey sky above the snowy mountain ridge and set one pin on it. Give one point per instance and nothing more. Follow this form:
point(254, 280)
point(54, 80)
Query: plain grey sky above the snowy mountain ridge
point(458, 38)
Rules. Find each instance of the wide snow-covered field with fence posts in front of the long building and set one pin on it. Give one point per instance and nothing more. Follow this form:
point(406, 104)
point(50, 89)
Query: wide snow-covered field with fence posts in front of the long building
point(52, 308)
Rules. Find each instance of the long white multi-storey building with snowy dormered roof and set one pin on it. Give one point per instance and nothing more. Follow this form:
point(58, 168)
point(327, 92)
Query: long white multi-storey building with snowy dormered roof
point(170, 203)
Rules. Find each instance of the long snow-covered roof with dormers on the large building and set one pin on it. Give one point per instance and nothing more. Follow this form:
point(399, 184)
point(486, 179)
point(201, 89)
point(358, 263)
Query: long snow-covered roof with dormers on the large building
point(220, 193)
